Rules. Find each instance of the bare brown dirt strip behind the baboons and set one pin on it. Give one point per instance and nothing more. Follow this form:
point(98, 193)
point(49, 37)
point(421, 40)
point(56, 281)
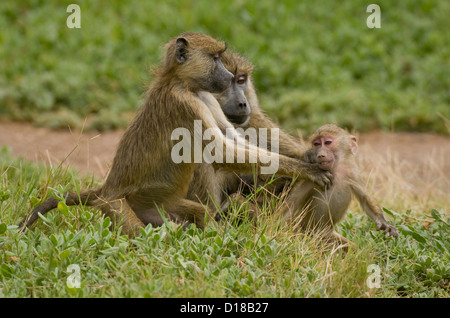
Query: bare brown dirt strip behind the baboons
point(92, 152)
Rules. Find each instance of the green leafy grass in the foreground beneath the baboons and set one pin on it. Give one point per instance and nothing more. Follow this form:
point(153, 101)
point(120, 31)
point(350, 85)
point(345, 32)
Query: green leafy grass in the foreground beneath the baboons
point(226, 260)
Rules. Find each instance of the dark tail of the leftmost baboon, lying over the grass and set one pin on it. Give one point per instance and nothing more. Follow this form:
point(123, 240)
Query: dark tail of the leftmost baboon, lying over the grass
point(72, 198)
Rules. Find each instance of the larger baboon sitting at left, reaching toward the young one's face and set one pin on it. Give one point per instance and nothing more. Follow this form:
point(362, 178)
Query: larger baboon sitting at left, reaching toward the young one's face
point(144, 176)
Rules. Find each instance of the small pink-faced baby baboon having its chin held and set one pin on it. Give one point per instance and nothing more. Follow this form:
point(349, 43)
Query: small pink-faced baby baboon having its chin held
point(333, 149)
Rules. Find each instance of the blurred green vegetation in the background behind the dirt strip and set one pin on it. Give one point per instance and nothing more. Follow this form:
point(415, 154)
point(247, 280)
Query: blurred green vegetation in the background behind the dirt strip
point(316, 62)
